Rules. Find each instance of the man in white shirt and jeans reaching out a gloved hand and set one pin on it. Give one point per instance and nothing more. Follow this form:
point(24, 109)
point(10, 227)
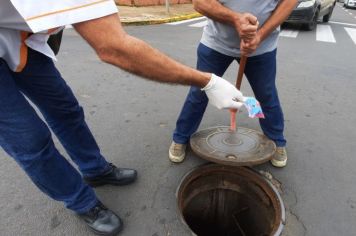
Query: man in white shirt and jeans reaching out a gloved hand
point(26, 68)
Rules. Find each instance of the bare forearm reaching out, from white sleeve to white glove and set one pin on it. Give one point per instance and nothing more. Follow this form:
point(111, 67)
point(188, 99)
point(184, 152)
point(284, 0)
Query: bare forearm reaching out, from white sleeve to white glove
point(114, 46)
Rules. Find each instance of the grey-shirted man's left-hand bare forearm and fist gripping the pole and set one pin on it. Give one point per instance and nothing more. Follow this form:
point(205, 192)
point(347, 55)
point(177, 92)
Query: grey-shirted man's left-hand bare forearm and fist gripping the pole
point(244, 23)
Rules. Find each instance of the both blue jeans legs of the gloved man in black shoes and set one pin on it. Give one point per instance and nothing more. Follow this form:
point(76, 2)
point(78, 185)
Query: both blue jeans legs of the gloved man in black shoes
point(26, 138)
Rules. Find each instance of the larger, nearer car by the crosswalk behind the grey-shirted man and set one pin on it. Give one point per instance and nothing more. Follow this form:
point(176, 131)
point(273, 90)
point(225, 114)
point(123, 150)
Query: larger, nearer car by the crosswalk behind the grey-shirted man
point(307, 12)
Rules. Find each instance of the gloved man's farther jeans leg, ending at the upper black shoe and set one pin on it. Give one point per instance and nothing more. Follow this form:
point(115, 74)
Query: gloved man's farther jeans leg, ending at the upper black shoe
point(44, 85)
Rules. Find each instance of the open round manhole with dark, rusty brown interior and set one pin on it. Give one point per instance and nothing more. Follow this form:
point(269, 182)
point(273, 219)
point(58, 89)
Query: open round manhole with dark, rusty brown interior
point(217, 200)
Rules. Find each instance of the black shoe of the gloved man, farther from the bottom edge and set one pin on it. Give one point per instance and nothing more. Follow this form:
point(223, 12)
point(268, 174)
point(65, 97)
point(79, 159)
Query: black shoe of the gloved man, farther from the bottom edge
point(114, 176)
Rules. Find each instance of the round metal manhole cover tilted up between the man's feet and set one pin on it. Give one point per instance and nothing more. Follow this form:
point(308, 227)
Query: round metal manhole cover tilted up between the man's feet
point(244, 147)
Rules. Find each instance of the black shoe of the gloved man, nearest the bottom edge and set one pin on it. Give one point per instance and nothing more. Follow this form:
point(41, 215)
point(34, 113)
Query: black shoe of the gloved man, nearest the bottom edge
point(102, 221)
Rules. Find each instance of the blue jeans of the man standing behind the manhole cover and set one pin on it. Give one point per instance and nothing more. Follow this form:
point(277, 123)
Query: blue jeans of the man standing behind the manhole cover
point(261, 73)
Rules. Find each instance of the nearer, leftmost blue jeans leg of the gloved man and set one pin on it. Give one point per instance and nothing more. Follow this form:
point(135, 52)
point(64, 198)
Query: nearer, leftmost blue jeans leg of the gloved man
point(26, 138)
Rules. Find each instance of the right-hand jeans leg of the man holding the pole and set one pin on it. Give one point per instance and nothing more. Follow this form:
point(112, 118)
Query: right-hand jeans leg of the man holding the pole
point(261, 73)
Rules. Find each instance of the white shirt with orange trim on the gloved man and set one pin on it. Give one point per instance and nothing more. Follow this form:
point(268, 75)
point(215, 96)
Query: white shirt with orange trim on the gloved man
point(19, 18)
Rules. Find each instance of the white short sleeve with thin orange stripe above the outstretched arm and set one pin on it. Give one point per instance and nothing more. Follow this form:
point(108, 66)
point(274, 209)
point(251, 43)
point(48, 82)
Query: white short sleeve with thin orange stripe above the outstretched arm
point(45, 14)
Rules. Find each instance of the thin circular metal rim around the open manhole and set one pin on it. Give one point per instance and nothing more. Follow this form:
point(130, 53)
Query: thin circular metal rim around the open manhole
point(275, 191)
